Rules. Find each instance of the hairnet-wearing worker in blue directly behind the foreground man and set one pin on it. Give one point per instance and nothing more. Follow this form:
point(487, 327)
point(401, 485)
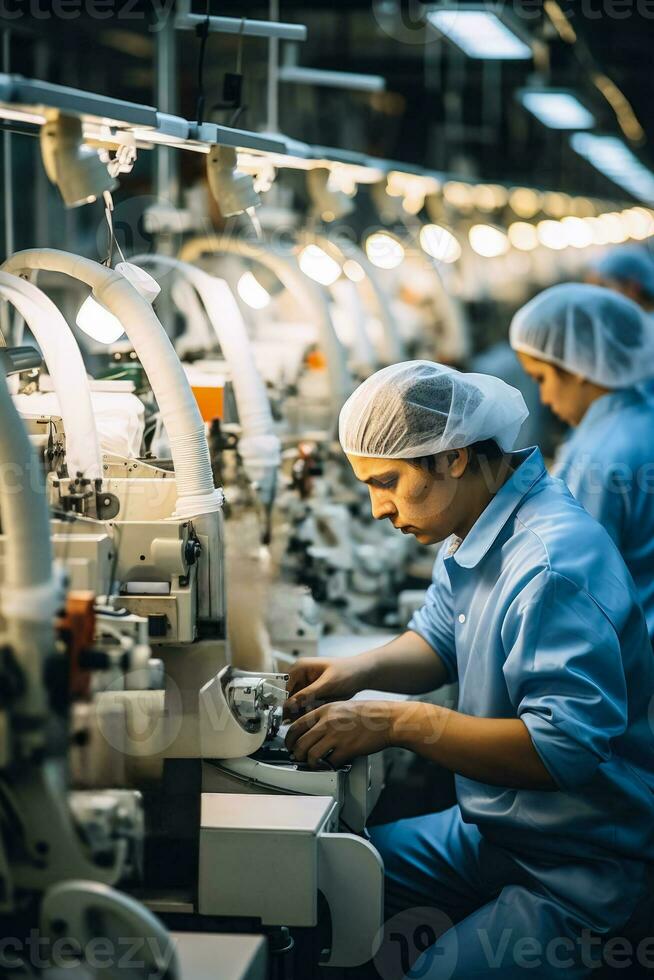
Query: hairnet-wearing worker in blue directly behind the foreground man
point(591, 351)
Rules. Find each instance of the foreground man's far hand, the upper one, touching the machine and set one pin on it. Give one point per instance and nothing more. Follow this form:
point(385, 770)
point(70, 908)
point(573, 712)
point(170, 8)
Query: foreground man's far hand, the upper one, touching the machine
point(315, 680)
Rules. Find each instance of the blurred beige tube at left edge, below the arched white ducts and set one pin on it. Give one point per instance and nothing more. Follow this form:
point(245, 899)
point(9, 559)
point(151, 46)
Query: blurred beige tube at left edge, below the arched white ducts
point(29, 597)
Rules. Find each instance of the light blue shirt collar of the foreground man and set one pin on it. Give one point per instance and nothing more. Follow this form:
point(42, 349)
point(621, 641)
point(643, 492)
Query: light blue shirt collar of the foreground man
point(530, 468)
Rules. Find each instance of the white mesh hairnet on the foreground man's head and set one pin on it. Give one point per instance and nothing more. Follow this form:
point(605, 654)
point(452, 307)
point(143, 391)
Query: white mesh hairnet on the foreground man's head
point(419, 408)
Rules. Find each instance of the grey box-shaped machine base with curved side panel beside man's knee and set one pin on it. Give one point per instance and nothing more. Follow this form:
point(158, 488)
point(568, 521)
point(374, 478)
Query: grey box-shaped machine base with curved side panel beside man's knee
point(242, 834)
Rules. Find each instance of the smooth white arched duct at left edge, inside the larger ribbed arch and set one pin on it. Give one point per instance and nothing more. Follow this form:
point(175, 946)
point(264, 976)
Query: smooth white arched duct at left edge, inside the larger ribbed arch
point(66, 368)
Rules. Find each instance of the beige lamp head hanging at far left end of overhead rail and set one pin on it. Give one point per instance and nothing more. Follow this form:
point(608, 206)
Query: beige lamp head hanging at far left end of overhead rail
point(74, 168)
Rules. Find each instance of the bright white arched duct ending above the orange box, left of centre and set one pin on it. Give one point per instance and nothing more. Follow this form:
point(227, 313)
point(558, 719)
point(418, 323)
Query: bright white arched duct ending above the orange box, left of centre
point(259, 447)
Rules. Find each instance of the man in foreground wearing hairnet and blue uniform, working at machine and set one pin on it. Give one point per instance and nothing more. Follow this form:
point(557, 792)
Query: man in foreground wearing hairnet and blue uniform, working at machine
point(533, 611)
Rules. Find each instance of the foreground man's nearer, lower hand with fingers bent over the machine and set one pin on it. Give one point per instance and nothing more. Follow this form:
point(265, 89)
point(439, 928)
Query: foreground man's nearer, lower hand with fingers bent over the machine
point(337, 733)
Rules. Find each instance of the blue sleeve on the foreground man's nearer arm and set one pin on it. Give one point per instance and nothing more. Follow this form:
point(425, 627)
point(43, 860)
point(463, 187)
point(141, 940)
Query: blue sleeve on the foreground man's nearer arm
point(565, 676)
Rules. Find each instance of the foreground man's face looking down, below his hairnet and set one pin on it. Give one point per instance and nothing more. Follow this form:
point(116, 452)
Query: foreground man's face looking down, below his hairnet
point(427, 504)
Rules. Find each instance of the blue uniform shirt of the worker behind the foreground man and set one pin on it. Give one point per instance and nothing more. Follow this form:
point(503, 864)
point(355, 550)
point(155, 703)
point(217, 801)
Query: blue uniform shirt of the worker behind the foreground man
point(608, 464)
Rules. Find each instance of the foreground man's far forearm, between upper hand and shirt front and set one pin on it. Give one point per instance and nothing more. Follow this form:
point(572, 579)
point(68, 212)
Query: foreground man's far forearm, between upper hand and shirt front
point(406, 665)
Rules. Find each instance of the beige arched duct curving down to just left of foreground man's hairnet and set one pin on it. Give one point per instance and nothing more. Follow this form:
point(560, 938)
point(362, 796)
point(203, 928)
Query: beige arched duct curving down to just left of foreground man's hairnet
point(307, 293)
